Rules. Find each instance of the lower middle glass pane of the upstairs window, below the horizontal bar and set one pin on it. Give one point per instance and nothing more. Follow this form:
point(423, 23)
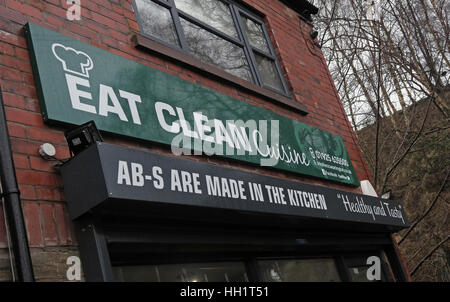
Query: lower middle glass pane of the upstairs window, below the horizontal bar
point(216, 51)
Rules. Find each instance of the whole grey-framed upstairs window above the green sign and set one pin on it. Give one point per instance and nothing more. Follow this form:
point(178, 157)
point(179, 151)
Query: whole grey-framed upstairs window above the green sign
point(219, 33)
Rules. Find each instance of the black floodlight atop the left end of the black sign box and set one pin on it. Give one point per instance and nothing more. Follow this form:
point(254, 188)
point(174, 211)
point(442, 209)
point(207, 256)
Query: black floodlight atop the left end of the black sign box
point(81, 137)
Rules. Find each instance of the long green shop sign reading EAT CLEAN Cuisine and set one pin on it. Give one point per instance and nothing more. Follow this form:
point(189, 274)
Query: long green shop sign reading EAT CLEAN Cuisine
point(77, 82)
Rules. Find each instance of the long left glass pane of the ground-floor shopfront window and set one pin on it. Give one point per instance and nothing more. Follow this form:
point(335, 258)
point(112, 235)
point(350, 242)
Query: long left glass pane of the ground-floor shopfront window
point(192, 272)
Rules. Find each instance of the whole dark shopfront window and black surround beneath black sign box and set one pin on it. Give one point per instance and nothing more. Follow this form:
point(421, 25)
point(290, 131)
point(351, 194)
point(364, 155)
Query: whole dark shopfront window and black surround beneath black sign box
point(175, 252)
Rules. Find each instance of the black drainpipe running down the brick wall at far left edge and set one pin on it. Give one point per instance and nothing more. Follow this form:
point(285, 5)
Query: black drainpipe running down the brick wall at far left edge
point(12, 204)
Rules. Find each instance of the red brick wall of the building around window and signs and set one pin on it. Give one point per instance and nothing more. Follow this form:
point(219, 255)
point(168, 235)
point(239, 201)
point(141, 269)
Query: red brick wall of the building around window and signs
point(109, 24)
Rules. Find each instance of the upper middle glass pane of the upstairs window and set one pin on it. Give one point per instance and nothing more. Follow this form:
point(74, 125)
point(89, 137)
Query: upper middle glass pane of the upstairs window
point(213, 12)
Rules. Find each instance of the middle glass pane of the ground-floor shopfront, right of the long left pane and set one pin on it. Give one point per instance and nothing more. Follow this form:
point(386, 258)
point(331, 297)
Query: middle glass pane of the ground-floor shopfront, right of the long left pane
point(314, 270)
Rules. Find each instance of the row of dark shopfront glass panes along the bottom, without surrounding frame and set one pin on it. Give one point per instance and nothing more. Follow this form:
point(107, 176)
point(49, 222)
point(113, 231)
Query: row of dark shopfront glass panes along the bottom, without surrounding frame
point(354, 269)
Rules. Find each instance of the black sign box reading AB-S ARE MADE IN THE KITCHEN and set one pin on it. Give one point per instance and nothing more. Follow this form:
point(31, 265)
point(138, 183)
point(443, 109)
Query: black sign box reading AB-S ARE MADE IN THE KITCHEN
point(123, 181)
